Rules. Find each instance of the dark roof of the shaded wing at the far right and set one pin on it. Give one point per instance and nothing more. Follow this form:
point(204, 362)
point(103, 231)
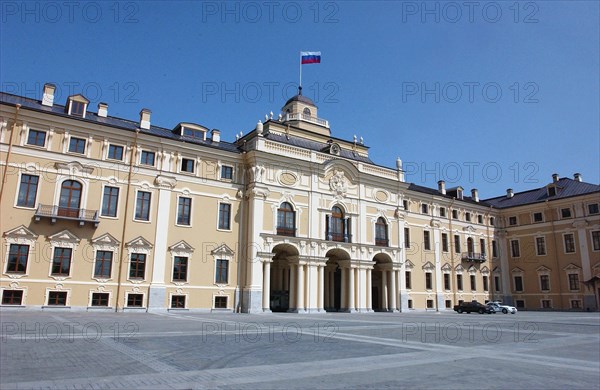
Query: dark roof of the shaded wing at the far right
point(566, 188)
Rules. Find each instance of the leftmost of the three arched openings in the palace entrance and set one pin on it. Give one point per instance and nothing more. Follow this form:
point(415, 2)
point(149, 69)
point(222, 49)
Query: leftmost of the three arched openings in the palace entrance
point(282, 283)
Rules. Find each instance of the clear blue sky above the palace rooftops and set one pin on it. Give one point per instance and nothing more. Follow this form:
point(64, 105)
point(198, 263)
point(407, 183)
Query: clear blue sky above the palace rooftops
point(489, 95)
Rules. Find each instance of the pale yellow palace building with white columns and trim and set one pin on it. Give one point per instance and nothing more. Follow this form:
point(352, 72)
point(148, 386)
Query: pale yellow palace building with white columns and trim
point(104, 213)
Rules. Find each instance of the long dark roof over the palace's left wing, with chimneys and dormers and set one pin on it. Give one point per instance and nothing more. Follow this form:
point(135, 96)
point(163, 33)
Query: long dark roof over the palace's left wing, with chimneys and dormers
point(128, 125)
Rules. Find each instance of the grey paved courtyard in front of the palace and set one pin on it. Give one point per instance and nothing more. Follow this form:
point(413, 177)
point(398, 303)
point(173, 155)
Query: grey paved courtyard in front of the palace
point(58, 349)
